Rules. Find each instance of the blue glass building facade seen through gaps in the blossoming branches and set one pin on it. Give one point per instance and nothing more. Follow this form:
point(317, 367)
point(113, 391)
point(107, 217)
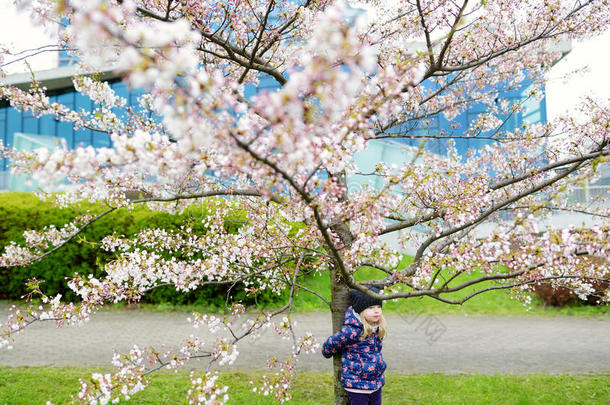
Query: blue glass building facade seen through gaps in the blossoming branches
point(26, 132)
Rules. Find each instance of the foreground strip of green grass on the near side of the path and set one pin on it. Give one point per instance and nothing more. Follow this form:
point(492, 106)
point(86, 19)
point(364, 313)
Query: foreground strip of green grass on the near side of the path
point(37, 385)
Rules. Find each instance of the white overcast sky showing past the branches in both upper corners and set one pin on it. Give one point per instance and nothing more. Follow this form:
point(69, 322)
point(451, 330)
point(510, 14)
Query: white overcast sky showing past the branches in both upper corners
point(563, 94)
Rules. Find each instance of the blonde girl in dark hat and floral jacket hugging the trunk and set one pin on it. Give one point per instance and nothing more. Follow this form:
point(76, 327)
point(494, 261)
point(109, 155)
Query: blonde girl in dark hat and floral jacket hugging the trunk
point(359, 342)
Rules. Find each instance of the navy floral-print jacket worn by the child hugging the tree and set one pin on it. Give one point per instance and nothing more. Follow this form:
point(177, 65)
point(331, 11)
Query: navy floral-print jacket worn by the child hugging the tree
point(362, 364)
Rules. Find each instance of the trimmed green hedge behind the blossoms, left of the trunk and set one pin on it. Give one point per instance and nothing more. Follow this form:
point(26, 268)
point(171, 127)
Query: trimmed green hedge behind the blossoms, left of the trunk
point(24, 211)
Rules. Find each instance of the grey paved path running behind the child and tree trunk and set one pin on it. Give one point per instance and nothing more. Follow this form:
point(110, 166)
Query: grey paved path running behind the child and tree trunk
point(452, 344)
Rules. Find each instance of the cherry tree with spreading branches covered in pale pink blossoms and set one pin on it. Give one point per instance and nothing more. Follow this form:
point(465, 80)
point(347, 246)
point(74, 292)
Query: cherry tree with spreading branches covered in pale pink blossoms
point(348, 73)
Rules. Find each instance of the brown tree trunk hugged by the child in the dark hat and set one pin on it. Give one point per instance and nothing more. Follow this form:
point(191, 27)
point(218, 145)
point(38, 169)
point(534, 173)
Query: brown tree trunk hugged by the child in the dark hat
point(339, 303)
